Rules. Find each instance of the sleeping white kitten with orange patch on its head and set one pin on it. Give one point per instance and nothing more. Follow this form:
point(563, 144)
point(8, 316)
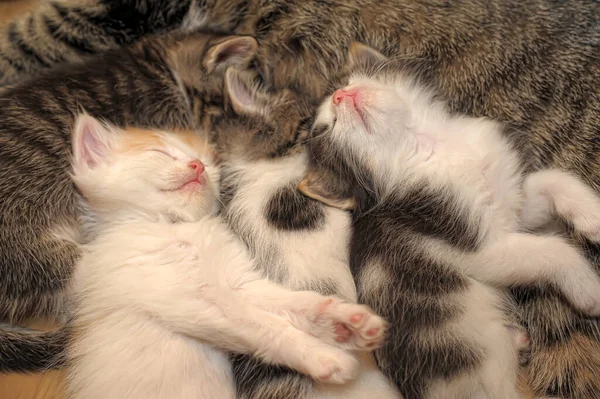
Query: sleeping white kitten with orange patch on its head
point(162, 282)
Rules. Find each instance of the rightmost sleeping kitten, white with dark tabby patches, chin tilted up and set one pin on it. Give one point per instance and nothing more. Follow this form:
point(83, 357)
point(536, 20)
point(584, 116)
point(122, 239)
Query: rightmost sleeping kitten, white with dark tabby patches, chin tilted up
point(440, 210)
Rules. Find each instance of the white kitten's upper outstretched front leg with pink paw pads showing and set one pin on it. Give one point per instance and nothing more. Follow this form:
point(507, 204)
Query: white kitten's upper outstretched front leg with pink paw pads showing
point(347, 325)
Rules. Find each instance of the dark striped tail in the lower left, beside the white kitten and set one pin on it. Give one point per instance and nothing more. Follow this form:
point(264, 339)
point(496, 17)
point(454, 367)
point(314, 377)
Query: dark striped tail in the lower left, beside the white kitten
point(24, 350)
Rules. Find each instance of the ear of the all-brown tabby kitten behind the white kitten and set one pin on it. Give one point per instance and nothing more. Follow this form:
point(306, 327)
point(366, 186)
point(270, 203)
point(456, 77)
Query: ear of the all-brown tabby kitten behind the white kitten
point(234, 50)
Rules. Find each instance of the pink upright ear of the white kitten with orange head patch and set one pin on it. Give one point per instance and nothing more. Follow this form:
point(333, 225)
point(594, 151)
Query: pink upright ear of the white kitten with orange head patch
point(91, 142)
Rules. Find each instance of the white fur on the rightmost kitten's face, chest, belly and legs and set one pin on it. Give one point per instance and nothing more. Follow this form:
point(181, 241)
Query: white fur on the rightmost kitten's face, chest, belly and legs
point(402, 135)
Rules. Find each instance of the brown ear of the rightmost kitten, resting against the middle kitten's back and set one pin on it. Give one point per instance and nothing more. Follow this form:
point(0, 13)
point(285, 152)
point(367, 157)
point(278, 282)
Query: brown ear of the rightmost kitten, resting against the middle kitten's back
point(322, 185)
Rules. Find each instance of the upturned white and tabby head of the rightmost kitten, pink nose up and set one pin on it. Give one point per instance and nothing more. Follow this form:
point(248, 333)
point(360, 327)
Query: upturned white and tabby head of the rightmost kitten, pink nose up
point(367, 132)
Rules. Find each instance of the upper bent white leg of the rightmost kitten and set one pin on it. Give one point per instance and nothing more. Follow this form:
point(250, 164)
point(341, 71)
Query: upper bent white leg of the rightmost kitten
point(555, 192)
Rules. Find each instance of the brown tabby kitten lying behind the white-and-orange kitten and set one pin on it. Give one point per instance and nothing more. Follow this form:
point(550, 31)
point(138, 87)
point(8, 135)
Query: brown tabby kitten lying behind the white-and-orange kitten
point(165, 82)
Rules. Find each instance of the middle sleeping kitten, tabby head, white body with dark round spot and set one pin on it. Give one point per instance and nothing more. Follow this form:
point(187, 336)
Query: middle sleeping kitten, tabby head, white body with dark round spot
point(294, 241)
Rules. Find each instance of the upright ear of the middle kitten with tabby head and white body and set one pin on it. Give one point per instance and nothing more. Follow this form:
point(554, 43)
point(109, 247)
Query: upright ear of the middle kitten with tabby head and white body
point(243, 93)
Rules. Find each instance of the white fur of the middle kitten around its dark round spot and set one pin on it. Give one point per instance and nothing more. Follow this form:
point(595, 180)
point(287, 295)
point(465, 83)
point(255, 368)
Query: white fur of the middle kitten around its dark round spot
point(306, 256)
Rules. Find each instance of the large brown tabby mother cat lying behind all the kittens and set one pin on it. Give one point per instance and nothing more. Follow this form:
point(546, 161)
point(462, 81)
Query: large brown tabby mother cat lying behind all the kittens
point(533, 65)
